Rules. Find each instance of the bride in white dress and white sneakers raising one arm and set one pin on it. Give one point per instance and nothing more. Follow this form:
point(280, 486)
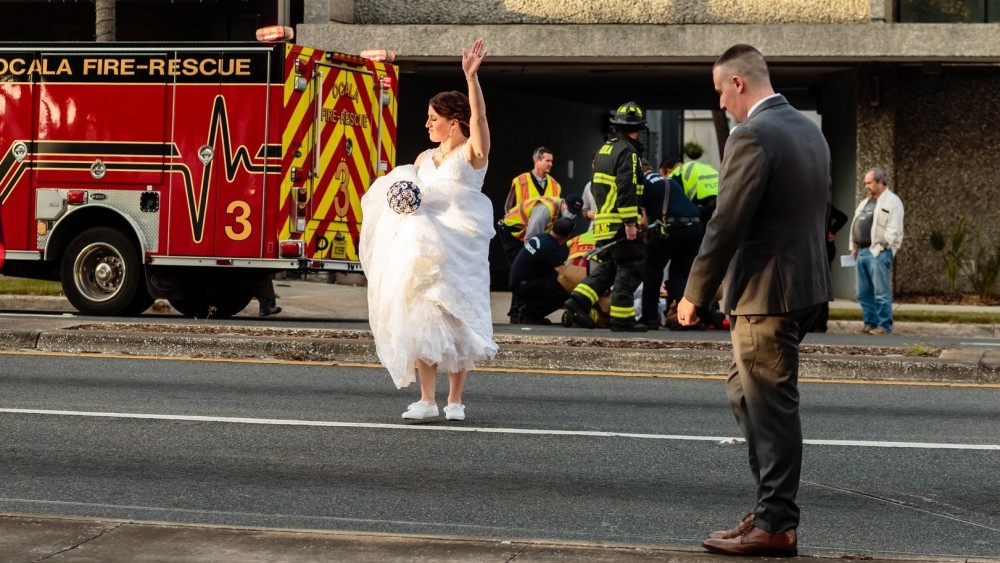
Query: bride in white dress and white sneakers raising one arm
point(428, 269)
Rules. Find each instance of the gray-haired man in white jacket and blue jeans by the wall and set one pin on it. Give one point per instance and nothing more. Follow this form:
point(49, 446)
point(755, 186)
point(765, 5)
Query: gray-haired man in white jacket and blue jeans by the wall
point(876, 235)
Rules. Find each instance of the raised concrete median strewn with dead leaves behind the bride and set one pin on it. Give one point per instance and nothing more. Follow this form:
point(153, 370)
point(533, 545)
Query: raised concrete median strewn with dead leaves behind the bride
point(522, 353)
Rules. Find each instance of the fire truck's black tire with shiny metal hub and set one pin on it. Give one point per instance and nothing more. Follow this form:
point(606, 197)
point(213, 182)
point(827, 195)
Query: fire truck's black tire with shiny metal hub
point(101, 274)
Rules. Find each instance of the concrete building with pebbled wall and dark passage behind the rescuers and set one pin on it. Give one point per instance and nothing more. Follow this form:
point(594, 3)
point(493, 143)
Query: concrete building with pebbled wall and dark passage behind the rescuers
point(907, 85)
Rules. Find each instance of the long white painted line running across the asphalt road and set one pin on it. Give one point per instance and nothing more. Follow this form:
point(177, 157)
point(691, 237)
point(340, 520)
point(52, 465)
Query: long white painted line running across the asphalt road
point(529, 431)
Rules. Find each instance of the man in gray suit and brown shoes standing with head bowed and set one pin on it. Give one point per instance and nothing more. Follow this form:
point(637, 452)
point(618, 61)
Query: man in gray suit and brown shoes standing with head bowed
point(768, 239)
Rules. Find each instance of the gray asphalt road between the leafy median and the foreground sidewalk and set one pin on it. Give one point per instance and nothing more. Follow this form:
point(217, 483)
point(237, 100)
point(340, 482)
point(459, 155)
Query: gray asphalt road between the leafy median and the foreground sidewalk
point(896, 470)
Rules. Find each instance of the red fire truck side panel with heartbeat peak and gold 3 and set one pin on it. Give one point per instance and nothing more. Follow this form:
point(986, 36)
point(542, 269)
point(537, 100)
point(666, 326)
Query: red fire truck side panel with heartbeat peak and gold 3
point(218, 179)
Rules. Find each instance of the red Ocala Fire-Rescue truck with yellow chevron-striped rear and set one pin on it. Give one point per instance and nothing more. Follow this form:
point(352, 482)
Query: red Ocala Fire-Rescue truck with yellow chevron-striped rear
point(187, 172)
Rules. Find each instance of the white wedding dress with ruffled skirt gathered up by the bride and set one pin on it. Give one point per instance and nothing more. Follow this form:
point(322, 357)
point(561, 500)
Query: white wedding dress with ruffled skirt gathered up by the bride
point(428, 272)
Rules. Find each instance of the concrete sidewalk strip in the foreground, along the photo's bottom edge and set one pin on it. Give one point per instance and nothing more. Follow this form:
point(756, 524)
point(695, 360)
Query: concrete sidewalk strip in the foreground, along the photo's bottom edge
point(32, 538)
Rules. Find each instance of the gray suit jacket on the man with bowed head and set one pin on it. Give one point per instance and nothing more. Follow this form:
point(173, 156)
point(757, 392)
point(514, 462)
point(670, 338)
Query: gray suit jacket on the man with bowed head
point(769, 228)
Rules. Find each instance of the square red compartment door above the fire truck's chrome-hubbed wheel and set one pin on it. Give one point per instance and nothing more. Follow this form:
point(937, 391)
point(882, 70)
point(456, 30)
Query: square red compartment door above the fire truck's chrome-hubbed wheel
point(102, 118)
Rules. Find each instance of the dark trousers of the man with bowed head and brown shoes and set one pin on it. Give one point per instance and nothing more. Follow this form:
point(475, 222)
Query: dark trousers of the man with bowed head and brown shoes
point(763, 392)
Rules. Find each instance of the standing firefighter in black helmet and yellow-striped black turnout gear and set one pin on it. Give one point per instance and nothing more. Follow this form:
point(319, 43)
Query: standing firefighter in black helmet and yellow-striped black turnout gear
point(617, 189)
